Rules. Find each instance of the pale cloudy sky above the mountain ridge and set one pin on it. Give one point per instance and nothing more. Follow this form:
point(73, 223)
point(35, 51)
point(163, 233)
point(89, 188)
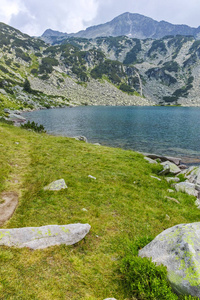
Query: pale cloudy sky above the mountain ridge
point(35, 16)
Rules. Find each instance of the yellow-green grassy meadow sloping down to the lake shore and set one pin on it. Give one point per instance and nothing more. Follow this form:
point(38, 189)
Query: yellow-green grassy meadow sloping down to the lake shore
point(123, 204)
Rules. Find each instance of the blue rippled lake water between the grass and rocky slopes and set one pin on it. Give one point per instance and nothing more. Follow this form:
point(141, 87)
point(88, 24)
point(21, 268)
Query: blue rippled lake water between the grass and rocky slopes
point(173, 131)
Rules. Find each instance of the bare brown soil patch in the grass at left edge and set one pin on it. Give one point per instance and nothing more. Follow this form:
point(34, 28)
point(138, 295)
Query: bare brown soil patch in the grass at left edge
point(8, 204)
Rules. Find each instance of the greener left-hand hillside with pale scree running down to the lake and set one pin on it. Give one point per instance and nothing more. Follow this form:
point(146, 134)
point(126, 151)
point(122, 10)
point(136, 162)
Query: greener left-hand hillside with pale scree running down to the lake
point(34, 75)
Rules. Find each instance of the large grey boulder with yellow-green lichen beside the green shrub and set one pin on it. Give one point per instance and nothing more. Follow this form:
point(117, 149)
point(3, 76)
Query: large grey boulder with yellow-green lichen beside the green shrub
point(178, 248)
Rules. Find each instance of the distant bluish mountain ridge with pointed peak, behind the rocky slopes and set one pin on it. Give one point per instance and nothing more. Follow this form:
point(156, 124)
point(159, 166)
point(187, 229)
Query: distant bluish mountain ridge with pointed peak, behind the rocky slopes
point(127, 24)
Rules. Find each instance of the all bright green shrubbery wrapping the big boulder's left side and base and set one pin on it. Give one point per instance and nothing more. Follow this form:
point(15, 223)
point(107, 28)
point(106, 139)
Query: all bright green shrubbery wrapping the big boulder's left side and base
point(143, 279)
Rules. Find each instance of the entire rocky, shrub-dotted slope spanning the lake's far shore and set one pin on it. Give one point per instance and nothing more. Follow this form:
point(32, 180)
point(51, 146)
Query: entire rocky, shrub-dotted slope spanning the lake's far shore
point(101, 71)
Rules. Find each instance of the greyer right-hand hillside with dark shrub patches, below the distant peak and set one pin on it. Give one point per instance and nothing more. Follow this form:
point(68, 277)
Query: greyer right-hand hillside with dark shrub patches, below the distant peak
point(165, 71)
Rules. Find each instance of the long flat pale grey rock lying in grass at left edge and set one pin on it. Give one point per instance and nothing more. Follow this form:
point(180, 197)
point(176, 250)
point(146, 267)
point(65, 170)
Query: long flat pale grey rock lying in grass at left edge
point(43, 237)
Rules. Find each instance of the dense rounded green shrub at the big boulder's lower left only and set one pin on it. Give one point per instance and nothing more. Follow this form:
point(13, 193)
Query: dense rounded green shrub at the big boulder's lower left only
point(144, 280)
